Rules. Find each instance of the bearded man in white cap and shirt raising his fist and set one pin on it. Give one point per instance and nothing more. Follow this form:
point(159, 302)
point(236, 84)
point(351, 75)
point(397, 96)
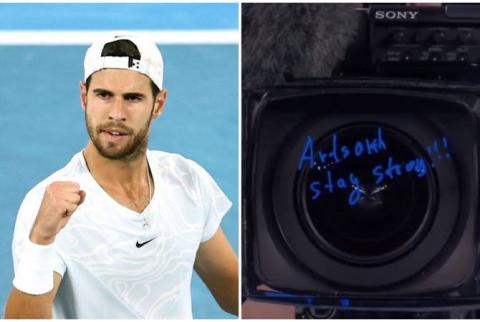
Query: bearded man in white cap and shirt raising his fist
point(117, 231)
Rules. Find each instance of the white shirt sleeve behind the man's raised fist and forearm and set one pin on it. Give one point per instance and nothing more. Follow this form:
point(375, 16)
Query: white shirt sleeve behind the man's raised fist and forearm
point(25, 218)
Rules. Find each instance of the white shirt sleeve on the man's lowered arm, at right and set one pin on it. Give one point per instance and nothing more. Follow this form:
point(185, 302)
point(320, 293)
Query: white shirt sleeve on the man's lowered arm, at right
point(213, 200)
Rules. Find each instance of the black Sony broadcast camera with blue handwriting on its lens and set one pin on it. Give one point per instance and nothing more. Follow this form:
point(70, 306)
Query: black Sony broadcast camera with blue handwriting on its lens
point(360, 191)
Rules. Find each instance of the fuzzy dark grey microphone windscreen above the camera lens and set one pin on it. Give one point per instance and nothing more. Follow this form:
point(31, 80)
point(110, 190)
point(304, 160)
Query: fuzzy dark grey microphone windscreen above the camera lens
point(299, 40)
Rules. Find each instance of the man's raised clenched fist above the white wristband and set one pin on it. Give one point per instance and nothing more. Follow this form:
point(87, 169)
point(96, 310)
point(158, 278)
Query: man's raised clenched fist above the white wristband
point(60, 201)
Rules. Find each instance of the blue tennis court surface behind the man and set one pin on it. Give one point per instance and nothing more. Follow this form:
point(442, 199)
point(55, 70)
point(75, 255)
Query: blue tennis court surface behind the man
point(42, 123)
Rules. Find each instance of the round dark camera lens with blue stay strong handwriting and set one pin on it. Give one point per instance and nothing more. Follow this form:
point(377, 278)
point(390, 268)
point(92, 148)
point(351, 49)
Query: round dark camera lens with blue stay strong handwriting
point(369, 197)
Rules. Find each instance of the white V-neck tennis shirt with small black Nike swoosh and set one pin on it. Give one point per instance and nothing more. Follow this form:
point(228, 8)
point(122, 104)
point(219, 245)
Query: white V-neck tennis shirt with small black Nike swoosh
point(111, 266)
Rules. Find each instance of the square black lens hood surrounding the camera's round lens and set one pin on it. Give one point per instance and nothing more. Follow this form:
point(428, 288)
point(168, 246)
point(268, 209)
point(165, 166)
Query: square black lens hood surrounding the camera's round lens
point(284, 251)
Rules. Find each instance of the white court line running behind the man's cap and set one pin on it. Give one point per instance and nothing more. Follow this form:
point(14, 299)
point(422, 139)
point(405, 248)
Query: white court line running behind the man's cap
point(75, 37)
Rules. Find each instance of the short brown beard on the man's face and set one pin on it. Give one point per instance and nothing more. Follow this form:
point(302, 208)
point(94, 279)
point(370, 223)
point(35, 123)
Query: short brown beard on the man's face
point(132, 150)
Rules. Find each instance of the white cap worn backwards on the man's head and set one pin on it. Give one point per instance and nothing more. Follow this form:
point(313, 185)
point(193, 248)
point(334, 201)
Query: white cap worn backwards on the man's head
point(149, 64)
